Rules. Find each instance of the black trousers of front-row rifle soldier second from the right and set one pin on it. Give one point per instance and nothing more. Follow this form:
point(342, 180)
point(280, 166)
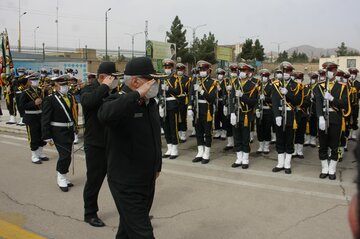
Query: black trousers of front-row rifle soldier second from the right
point(285, 139)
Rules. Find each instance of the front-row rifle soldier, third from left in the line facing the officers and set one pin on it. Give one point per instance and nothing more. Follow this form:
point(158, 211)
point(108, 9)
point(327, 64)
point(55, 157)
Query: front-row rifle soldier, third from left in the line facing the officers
point(243, 102)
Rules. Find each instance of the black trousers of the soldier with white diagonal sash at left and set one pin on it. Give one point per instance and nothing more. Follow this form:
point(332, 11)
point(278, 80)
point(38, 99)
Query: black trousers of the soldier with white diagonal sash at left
point(63, 139)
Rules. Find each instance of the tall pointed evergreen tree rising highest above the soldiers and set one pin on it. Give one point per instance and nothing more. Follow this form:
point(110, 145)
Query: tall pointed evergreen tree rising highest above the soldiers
point(177, 36)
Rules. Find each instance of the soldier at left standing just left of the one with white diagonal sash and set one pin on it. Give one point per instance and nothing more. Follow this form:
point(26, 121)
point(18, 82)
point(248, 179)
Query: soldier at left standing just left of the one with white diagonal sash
point(31, 101)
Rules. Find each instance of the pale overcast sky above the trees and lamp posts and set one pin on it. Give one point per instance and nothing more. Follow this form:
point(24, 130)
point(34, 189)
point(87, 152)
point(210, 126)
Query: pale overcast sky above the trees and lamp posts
point(290, 22)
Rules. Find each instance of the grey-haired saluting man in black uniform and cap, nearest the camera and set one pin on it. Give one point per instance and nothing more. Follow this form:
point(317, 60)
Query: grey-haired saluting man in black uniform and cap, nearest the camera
point(133, 147)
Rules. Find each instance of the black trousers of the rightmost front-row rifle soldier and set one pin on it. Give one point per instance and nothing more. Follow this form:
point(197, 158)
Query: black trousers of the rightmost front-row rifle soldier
point(330, 140)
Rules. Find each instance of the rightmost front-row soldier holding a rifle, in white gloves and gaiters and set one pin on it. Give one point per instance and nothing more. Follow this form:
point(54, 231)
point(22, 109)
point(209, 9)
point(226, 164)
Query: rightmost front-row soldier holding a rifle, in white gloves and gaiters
point(331, 99)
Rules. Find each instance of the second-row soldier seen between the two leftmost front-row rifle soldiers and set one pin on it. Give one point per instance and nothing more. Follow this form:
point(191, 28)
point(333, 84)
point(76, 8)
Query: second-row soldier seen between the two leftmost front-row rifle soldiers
point(183, 100)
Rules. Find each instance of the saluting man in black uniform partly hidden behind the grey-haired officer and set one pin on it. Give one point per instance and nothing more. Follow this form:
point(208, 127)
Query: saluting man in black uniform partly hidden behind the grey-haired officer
point(92, 97)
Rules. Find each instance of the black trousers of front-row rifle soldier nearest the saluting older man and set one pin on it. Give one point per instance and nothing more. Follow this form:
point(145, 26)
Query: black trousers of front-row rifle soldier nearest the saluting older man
point(170, 126)
